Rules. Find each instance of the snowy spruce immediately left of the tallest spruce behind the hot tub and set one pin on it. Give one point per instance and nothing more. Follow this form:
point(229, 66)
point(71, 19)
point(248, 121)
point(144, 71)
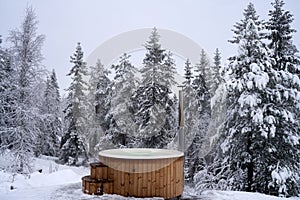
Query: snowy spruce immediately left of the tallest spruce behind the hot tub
point(122, 126)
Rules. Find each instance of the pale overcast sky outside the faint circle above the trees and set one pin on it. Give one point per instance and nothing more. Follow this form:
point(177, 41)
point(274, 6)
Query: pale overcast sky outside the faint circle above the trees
point(66, 22)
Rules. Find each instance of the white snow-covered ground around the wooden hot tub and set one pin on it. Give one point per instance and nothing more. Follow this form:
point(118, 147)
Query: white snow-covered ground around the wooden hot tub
point(64, 183)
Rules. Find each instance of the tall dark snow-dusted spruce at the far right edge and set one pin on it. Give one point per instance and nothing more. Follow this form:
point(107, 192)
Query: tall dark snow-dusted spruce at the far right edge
point(284, 105)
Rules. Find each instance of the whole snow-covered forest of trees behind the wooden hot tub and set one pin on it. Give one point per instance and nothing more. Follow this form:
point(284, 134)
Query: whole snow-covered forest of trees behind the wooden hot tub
point(245, 112)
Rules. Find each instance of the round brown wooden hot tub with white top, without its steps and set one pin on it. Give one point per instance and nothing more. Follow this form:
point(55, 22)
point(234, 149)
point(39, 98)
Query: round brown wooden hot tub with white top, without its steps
point(139, 172)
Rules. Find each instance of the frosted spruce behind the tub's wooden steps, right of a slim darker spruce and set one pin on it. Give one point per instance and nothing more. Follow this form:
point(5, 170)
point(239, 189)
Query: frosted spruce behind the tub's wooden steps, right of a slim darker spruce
point(99, 98)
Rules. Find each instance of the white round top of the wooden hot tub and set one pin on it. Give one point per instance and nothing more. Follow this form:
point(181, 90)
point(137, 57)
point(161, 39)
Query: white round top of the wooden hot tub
point(140, 153)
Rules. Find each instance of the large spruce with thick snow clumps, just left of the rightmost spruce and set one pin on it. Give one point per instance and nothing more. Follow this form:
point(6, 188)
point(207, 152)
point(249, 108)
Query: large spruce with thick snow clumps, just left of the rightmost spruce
point(248, 125)
